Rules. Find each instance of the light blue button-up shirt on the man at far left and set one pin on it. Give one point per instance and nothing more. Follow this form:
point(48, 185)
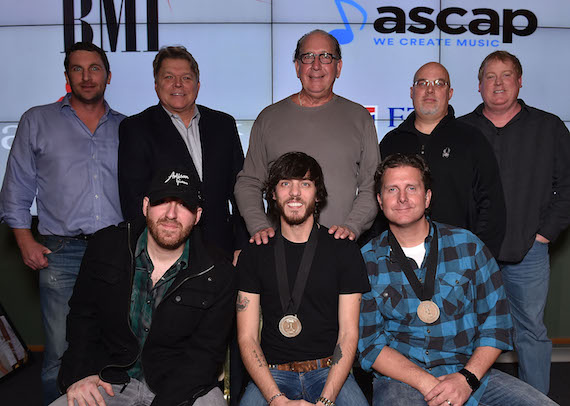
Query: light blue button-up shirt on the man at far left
point(71, 171)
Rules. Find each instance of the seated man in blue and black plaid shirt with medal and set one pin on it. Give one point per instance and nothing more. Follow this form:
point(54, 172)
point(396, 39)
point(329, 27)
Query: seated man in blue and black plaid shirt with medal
point(437, 316)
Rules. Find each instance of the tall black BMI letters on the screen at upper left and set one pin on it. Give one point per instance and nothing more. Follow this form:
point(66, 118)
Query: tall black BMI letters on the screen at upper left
point(108, 18)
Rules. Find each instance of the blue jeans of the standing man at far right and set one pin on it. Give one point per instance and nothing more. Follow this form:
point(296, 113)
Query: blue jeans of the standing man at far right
point(526, 284)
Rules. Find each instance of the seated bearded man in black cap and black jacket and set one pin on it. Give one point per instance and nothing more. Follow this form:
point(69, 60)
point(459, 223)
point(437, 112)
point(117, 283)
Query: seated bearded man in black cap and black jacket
point(152, 308)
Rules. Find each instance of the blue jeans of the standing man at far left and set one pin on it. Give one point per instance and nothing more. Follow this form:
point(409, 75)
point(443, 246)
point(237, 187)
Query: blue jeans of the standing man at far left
point(56, 287)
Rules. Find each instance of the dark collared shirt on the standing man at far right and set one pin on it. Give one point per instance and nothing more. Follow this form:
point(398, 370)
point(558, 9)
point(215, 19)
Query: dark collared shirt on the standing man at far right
point(533, 151)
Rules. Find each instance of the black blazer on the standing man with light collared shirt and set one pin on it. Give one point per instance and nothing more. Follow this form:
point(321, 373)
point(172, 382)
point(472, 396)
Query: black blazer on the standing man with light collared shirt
point(149, 141)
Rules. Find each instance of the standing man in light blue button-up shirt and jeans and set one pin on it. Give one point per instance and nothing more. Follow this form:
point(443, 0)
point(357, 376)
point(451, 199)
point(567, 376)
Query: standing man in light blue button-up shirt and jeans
point(65, 156)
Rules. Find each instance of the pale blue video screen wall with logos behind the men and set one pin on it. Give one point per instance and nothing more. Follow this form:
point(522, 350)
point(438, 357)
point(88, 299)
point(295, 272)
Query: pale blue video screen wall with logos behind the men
point(245, 49)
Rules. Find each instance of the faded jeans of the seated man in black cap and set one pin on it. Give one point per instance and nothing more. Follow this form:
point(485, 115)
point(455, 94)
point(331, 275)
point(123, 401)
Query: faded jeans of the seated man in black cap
point(137, 393)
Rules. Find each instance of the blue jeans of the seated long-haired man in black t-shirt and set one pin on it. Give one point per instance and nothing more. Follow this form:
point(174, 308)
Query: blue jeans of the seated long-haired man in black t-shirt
point(307, 386)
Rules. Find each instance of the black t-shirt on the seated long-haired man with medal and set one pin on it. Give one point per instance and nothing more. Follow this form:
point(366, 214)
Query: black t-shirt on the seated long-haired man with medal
point(337, 268)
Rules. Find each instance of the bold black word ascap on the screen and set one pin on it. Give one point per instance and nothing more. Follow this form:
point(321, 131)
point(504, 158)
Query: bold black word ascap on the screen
point(396, 23)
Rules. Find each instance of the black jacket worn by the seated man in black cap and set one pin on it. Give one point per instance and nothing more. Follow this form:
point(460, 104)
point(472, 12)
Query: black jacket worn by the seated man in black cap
point(186, 344)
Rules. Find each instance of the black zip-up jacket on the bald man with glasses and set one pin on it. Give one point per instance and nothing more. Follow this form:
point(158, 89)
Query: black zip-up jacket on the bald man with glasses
point(466, 186)
